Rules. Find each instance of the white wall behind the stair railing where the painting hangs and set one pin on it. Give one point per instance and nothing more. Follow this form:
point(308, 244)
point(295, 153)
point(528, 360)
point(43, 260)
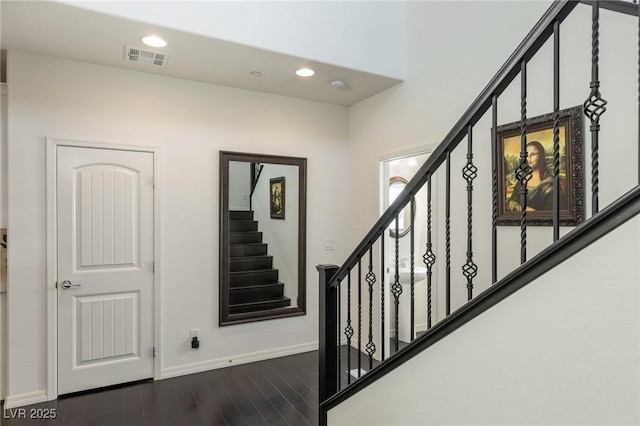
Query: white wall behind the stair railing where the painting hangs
point(469, 43)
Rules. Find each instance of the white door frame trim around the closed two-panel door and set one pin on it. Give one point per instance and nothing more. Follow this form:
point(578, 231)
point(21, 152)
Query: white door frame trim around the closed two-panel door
point(52, 258)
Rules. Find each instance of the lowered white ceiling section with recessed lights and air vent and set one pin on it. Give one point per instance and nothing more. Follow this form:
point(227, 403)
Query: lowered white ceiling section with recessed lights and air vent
point(69, 32)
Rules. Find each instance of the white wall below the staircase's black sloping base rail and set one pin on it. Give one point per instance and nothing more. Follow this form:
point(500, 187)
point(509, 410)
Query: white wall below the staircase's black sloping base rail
point(563, 350)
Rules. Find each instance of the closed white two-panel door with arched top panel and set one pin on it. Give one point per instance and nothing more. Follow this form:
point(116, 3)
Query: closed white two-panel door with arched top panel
point(105, 267)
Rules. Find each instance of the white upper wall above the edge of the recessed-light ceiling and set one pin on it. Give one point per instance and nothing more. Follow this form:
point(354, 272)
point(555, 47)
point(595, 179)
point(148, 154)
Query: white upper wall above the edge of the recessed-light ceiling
point(366, 36)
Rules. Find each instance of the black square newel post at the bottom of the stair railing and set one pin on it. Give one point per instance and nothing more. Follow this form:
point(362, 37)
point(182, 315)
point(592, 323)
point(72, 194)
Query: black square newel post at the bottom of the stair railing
point(328, 345)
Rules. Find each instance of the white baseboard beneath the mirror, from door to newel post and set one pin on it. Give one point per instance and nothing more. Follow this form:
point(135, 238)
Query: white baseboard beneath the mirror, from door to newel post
point(198, 367)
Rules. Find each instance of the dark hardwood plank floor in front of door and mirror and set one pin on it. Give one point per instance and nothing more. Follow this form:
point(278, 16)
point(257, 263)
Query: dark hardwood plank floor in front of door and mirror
point(281, 391)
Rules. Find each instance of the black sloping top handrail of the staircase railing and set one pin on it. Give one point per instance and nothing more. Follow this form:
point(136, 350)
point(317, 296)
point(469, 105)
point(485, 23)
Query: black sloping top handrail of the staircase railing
point(536, 38)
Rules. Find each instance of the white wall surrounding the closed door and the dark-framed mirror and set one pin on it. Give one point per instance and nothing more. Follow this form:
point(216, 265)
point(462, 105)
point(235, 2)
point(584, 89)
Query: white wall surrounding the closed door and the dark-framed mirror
point(190, 122)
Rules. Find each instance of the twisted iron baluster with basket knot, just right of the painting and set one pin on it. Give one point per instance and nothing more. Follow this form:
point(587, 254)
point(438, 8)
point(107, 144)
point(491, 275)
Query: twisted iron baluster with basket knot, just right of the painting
point(595, 105)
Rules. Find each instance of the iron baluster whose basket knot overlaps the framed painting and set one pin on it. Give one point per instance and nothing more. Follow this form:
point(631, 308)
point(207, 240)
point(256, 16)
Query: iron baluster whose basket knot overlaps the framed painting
point(523, 172)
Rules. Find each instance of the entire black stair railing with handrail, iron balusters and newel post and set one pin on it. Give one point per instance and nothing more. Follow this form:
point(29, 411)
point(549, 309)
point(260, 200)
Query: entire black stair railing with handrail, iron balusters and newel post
point(597, 225)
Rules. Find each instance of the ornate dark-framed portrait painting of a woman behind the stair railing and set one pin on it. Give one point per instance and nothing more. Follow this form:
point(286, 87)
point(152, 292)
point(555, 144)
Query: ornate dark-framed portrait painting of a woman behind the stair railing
point(540, 187)
